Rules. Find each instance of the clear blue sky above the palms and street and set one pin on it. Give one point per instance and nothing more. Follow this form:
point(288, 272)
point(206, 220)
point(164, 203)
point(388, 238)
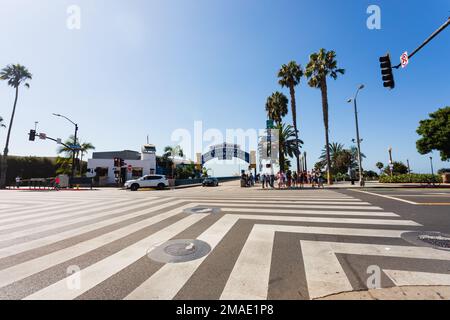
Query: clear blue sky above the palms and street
point(149, 67)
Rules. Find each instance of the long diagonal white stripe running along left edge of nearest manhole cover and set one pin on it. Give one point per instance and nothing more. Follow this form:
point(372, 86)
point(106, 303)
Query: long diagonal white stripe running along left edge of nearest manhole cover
point(98, 272)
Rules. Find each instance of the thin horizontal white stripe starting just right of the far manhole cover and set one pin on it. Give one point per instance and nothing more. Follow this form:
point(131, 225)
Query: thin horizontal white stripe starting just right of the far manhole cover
point(310, 212)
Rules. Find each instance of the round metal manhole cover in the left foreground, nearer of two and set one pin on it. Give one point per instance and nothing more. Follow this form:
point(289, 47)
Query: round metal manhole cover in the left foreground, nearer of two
point(177, 251)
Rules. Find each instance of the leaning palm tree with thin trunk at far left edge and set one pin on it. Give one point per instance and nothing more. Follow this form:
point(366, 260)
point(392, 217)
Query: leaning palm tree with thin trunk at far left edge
point(16, 75)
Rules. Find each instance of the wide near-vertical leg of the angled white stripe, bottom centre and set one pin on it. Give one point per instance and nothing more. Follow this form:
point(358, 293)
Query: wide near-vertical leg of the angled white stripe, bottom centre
point(251, 267)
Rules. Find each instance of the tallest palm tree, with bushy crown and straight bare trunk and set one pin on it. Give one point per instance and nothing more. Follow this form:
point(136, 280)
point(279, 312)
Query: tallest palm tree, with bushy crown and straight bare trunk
point(321, 65)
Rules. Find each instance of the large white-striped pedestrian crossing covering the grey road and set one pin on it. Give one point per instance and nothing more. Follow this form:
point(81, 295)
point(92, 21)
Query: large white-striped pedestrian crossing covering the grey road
point(272, 244)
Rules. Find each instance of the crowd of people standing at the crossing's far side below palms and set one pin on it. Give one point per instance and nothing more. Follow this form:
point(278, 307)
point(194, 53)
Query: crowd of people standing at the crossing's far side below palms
point(289, 179)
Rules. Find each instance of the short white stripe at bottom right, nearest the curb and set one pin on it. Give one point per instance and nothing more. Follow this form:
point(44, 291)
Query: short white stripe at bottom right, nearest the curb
point(412, 278)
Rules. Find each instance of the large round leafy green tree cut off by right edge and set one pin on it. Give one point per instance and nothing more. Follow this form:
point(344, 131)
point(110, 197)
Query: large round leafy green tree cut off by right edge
point(435, 134)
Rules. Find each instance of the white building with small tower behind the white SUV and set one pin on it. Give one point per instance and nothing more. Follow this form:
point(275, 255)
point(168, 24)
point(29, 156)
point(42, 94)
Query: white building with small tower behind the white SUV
point(101, 166)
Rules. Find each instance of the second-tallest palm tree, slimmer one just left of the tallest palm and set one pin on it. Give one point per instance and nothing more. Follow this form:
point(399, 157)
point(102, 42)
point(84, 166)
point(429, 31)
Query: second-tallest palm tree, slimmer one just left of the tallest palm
point(289, 77)
